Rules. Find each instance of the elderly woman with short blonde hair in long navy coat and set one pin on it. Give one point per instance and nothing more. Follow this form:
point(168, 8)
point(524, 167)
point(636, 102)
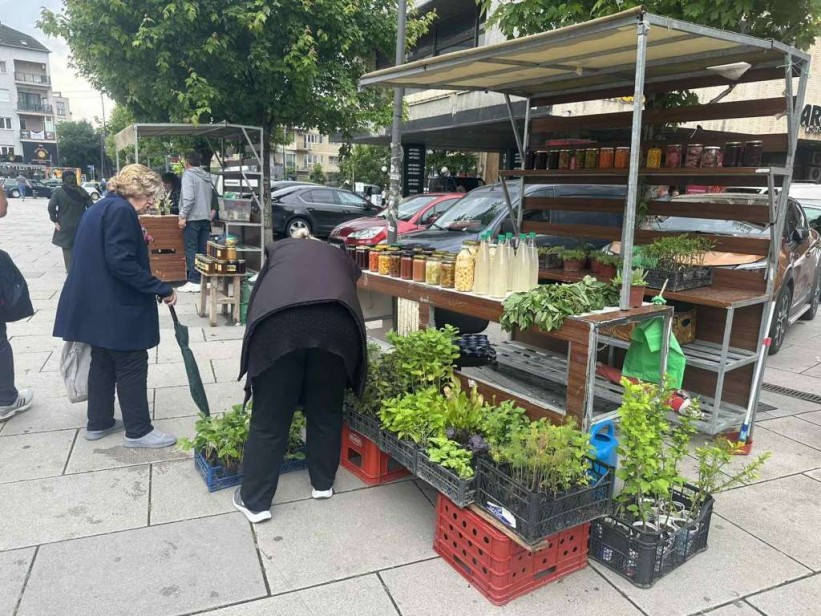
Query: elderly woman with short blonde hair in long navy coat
point(109, 301)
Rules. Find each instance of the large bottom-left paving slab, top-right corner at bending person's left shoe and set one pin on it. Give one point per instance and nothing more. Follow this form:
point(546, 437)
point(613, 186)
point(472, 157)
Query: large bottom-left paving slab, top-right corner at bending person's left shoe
point(163, 570)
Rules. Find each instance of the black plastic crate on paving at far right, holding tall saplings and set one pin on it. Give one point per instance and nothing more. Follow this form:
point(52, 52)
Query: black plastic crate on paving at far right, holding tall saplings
point(645, 557)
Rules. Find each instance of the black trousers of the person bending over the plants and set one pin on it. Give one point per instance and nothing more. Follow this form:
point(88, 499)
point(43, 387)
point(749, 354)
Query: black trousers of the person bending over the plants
point(315, 378)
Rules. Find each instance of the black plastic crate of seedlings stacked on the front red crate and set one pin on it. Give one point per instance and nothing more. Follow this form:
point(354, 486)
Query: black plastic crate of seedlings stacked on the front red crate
point(540, 515)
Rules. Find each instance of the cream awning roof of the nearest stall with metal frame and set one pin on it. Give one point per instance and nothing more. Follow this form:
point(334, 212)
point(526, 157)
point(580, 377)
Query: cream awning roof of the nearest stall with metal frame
point(595, 59)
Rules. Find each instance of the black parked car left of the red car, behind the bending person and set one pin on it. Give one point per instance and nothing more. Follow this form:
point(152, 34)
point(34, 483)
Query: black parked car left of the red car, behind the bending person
point(316, 208)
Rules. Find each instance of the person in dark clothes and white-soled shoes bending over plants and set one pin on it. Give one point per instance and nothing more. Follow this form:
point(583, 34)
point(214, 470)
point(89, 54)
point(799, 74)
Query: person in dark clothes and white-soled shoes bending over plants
point(304, 344)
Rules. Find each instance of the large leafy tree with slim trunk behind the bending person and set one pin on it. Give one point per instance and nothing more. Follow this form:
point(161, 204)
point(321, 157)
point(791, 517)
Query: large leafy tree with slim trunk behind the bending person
point(289, 63)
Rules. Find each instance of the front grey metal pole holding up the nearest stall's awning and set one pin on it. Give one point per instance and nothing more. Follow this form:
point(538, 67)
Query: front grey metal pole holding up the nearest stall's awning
point(628, 226)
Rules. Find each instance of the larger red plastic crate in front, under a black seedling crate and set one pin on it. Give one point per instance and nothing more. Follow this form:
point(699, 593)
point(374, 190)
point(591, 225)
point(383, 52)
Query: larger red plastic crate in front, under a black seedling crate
point(496, 565)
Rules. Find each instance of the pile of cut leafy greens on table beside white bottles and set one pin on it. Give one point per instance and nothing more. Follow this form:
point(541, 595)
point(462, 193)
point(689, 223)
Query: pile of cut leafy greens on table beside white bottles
point(547, 306)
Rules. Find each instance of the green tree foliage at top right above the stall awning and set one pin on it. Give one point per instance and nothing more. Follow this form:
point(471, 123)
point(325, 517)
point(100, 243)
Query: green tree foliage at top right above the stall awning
point(797, 22)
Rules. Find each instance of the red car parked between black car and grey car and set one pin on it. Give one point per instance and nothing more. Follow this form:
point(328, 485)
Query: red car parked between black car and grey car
point(416, 213)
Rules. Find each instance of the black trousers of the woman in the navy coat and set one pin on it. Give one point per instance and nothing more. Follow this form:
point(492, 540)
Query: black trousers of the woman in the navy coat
point(128, 372)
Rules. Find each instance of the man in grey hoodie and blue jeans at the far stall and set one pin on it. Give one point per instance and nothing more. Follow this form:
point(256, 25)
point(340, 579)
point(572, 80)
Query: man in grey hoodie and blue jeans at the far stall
point(195, 216)
